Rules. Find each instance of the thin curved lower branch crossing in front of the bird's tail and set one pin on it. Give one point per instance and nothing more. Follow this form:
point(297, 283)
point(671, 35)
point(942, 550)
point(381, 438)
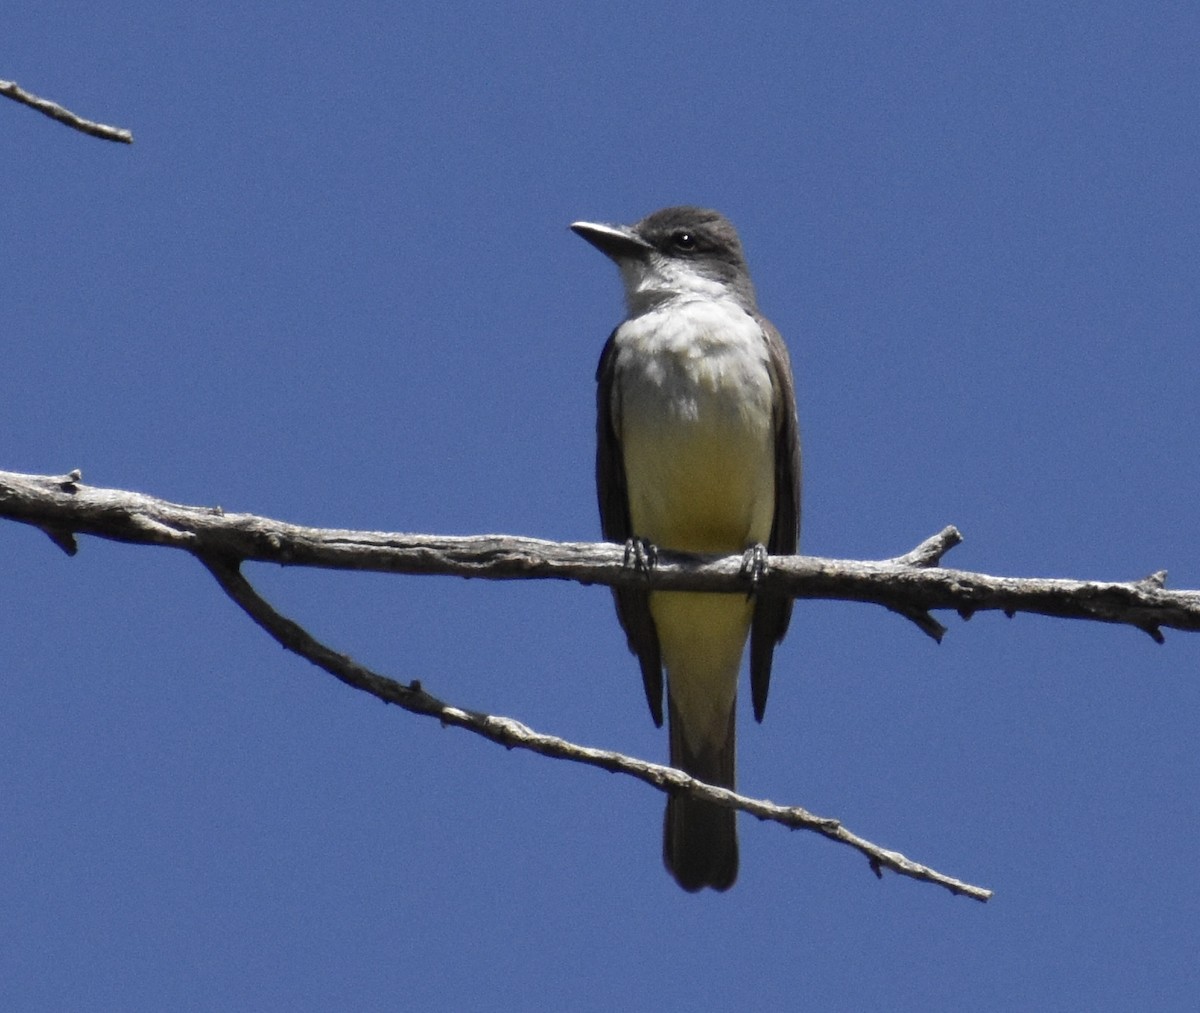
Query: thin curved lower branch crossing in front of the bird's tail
point(514, 735)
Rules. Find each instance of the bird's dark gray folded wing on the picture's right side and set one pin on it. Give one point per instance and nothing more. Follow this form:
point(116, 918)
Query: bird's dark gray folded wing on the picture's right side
point(772, 614)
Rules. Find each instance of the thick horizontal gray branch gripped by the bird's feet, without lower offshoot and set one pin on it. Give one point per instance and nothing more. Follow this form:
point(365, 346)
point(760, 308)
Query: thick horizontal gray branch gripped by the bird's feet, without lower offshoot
point(908, 585)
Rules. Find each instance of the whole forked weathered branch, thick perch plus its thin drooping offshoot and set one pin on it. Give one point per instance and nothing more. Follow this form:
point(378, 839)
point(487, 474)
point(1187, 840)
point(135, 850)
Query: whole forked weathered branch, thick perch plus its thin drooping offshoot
point(910, 585)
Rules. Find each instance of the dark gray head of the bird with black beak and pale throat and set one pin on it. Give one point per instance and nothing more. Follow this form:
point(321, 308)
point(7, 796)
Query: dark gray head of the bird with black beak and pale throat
point(675, 253)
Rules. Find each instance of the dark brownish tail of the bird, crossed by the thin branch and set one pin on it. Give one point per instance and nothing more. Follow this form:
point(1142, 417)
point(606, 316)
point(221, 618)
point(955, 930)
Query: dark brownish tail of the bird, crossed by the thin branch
point(700, 841)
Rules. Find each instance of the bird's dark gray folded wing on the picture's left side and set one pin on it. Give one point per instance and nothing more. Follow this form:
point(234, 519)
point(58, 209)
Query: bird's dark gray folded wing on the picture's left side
point(633, 604)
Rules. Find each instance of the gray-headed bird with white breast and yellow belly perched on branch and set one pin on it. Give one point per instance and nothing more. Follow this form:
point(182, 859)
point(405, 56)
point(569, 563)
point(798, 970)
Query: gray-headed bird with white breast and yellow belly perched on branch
point(698, 449)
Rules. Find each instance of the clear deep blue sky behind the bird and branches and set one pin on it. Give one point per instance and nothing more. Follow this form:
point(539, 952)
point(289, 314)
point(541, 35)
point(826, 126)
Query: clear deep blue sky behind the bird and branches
point(333, 283)
